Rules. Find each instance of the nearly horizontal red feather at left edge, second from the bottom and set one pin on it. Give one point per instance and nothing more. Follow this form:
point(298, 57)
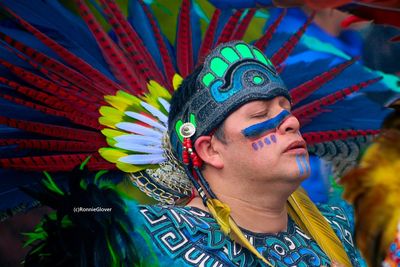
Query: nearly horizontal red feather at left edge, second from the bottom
point(53, 145)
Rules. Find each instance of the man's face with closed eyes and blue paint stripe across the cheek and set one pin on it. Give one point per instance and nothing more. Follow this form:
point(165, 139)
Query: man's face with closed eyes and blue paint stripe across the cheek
point(263, 142)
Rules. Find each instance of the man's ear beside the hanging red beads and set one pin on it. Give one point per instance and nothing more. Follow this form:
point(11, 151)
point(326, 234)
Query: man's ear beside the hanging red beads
point(205, 149)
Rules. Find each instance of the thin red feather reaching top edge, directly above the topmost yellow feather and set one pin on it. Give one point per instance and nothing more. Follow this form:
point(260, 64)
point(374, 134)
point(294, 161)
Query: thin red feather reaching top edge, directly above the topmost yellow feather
point(166, 59)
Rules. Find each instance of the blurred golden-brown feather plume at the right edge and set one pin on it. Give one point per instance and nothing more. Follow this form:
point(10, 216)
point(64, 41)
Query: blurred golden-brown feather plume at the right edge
point(373, 187)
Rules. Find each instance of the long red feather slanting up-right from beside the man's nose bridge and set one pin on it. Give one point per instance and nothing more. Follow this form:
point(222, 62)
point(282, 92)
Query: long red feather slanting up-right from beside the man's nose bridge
point(314, 108)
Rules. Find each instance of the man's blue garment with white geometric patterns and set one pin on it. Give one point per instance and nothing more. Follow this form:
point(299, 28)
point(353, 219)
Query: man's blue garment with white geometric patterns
point(191, 237)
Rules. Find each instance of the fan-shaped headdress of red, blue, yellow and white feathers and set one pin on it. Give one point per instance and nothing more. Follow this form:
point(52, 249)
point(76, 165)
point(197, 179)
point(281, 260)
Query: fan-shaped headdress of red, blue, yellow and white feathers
point(61, 71)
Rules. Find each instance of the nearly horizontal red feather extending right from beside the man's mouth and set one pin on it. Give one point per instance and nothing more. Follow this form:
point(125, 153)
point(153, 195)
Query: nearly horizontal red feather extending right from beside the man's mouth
point(326, 136)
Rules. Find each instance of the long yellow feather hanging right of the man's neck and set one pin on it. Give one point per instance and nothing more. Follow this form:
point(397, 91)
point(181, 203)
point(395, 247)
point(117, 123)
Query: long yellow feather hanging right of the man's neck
point(303, 211)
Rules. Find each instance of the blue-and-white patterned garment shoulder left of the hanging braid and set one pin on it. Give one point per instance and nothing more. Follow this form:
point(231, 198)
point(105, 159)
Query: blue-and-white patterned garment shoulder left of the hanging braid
point(191, 236)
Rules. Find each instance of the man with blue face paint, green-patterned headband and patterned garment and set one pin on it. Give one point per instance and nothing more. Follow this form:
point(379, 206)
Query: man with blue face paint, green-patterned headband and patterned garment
point(231, 127)
